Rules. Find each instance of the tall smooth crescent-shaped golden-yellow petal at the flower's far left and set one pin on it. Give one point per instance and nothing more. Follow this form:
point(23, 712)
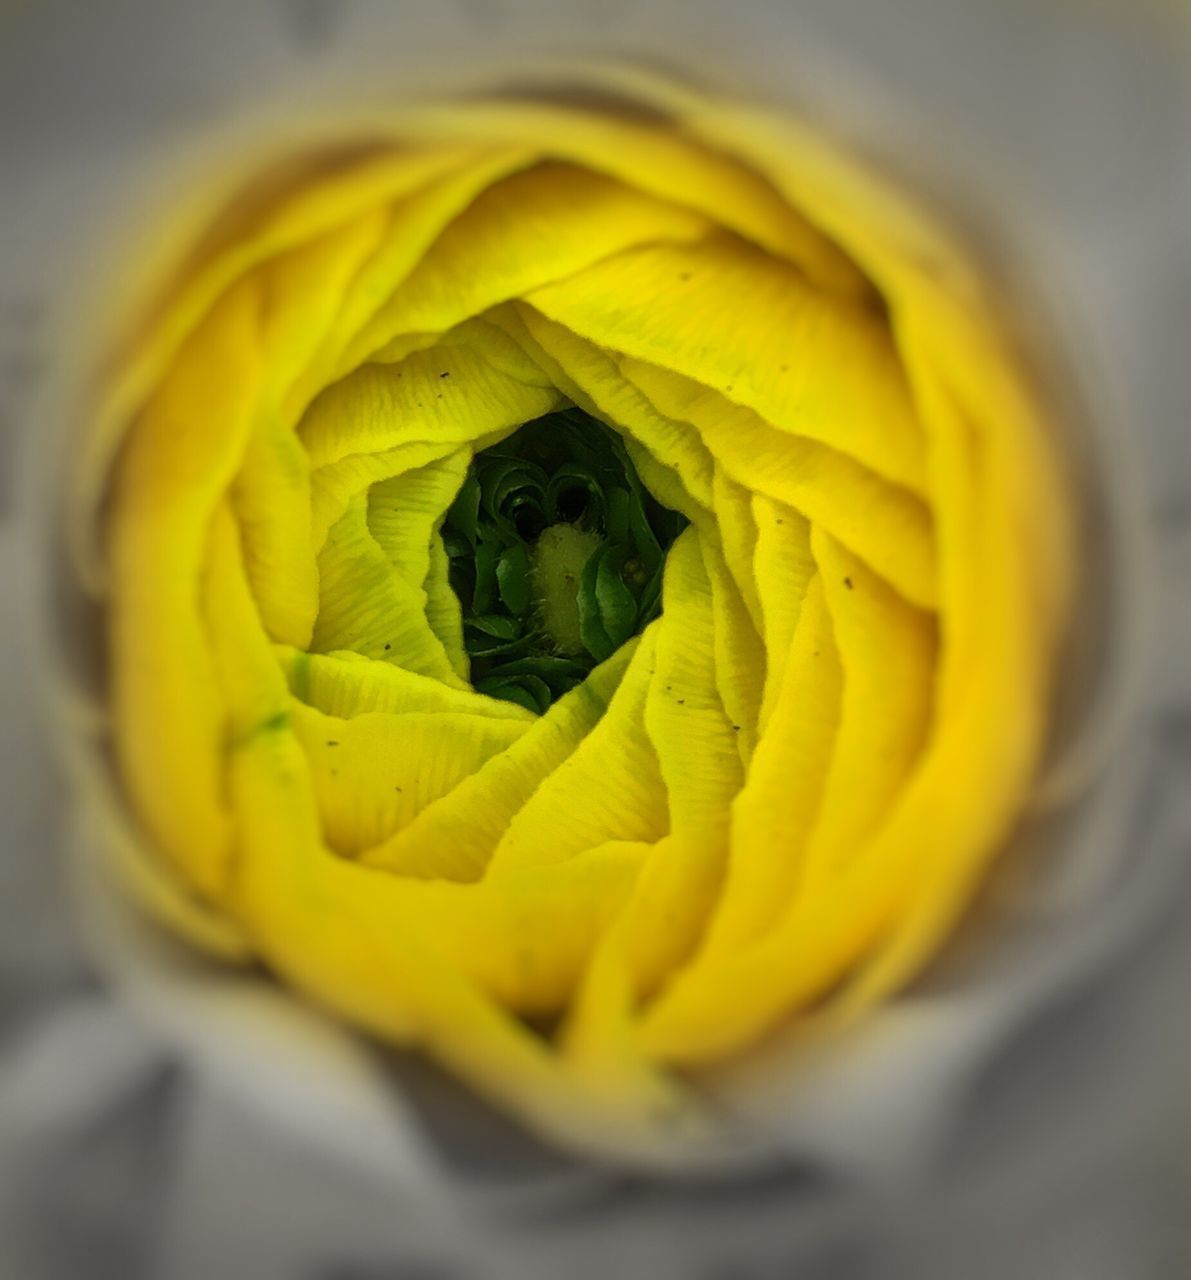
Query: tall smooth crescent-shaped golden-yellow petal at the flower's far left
point(179, 460)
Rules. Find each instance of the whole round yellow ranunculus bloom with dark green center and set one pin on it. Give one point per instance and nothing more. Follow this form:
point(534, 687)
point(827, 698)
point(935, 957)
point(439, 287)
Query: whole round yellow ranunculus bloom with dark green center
point(588, 753)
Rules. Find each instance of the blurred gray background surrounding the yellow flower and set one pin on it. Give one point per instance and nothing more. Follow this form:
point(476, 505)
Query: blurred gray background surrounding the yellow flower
point(121, 1156)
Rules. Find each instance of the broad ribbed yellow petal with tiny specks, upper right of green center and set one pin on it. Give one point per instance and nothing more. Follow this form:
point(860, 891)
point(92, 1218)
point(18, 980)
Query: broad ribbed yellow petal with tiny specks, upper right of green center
point(664, 304)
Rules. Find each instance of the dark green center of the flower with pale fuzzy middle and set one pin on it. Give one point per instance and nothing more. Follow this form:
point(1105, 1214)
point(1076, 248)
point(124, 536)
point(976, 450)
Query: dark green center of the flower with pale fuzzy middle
point(556, 552)
